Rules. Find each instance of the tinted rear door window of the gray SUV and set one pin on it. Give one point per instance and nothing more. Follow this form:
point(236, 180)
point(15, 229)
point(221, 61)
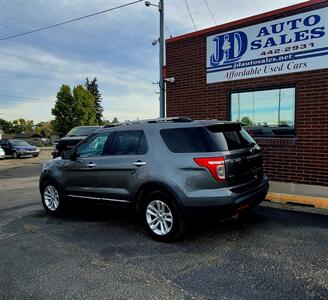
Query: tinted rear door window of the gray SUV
point(131, 142)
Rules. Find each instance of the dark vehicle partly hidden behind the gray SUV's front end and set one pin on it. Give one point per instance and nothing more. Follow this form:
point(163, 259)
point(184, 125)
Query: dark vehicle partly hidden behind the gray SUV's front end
point(72, 138)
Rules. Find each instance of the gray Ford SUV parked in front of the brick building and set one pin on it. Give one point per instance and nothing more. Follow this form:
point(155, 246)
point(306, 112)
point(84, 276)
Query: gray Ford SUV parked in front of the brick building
point(168, 170)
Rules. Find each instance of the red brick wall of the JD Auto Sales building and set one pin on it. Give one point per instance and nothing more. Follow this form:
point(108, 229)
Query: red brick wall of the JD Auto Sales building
point(303, 159)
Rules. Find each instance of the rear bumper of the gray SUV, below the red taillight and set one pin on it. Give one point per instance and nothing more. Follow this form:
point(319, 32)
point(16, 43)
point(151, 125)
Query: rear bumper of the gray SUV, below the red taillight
point(231, 201)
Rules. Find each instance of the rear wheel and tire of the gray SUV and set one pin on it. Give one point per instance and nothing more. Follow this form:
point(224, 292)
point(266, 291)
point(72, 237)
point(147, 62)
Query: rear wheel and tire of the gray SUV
point(159, 208)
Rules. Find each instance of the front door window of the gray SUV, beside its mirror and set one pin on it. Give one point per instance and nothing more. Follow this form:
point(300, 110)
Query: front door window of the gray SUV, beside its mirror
point(94, 146)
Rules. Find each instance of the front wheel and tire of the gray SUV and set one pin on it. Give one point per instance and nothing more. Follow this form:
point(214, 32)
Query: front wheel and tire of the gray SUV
point(53, 199)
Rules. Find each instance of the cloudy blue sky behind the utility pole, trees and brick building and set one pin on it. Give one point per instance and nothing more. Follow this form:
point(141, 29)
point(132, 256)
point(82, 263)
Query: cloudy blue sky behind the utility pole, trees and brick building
point(116, 47)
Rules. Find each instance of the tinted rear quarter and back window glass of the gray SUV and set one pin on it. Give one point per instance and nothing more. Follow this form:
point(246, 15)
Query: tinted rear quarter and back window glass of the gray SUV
point(221, 137)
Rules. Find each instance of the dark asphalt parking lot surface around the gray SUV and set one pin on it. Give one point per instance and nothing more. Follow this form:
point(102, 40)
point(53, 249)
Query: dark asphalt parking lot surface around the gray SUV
point(276, 252)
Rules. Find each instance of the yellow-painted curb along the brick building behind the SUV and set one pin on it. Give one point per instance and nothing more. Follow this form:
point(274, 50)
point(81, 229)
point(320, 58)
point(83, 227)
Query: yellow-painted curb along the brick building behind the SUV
point(317, 202)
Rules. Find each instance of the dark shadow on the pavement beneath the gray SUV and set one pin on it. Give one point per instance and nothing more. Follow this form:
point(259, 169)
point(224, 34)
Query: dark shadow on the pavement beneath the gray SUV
point(259, 219)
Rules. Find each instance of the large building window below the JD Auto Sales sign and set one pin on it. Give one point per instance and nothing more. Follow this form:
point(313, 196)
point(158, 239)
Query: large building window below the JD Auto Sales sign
point(269, 113)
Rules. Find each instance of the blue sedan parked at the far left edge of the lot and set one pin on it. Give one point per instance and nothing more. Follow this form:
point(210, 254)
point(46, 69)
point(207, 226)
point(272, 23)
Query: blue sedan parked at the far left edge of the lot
point(19, 148)
